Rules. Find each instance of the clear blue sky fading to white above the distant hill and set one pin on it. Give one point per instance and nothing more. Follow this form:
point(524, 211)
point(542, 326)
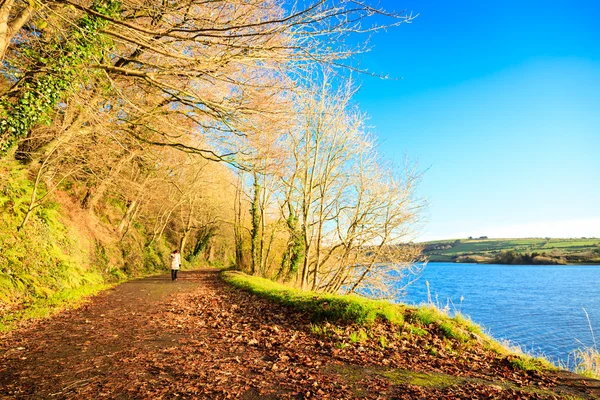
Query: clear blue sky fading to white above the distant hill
point(500, 102)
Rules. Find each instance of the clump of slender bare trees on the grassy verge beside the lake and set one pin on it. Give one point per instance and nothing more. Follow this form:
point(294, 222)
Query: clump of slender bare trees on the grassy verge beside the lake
point(344, 211)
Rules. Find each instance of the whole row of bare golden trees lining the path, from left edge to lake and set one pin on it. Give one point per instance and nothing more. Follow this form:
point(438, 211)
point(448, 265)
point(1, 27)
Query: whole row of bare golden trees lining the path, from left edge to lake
point(225, 126)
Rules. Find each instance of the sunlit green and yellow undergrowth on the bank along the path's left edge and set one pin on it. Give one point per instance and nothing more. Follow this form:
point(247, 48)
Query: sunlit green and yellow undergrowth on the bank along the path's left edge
point(52, 262)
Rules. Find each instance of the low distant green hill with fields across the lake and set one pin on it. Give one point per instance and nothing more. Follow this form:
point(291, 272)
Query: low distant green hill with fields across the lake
point(515, 251)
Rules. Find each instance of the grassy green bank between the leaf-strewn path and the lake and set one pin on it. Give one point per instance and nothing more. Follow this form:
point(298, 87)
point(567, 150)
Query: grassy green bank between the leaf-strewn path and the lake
point(330, 312)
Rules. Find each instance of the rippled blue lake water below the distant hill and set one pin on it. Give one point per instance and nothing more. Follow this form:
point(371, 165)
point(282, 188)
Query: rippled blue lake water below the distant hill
point(540, 308)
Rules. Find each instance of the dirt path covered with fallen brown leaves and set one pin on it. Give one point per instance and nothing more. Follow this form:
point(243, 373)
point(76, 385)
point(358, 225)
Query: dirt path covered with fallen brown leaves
point(199, 338)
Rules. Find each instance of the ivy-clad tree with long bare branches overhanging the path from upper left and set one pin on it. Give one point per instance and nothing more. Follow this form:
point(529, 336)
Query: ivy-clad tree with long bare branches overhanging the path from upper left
point(215, 64)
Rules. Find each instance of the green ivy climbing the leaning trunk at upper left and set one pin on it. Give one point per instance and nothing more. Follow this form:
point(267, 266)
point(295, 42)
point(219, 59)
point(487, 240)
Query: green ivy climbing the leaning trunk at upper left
point(58, 72)
